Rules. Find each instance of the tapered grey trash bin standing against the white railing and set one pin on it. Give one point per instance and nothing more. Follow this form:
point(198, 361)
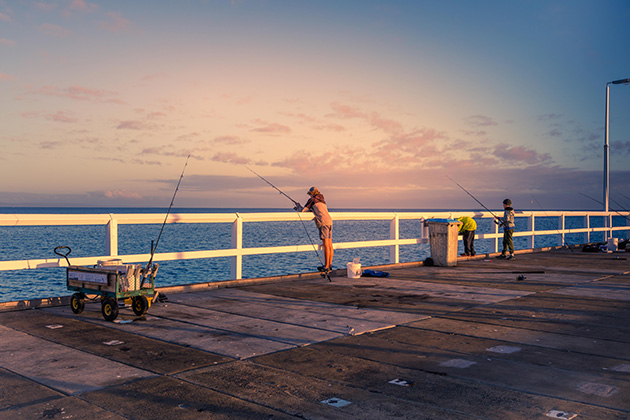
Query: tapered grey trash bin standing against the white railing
point(443, 241)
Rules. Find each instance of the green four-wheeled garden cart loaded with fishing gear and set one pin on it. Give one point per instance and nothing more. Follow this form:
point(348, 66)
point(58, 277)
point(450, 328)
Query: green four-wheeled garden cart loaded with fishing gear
point(112, 281)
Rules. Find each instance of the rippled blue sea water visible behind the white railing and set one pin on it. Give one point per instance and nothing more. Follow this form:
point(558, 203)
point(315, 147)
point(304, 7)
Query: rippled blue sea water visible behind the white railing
point(35, 242)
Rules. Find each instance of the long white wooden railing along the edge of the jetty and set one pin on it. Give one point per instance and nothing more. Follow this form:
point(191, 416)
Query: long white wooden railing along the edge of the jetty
point(236, 251)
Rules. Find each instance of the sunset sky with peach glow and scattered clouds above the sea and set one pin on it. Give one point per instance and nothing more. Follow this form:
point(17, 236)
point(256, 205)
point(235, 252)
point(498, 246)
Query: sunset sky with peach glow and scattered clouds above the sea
point(380, 104)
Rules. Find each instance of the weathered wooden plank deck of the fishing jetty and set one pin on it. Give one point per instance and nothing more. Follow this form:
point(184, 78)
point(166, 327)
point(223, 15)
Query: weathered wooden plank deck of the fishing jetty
point(546, 335)
